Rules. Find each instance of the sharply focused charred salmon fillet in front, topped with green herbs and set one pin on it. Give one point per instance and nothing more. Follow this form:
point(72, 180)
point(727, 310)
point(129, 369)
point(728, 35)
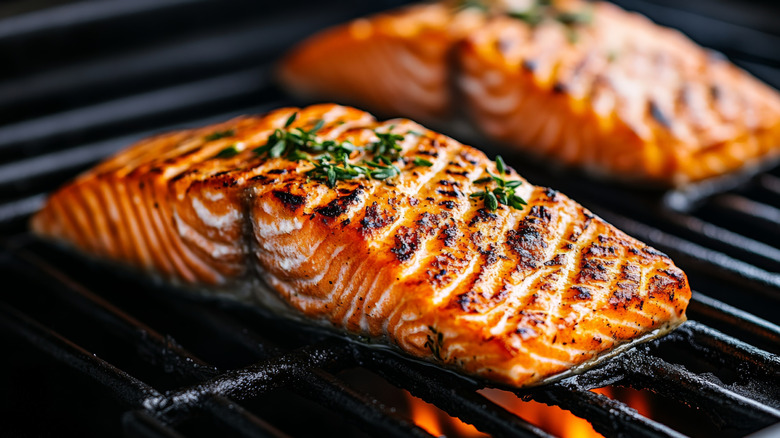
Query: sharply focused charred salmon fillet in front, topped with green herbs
point(512, 295)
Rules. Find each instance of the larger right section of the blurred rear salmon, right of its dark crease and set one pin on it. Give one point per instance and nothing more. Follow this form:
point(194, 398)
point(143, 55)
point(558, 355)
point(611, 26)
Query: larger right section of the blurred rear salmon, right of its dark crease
point(623, 97)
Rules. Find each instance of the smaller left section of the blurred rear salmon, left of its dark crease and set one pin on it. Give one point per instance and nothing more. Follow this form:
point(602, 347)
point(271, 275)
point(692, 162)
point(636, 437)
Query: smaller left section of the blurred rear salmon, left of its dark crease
point(396, 63)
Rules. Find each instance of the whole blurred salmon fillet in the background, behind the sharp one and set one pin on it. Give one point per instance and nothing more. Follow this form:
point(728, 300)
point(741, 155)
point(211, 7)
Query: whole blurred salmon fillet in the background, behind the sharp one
point(585, 84)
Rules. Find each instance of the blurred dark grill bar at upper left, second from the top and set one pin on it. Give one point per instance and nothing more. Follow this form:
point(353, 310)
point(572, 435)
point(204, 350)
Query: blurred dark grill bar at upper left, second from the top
point(158, 64)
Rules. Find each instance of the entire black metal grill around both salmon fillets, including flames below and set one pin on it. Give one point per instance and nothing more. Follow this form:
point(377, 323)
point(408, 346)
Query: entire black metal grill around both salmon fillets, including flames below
point(98, 351)
